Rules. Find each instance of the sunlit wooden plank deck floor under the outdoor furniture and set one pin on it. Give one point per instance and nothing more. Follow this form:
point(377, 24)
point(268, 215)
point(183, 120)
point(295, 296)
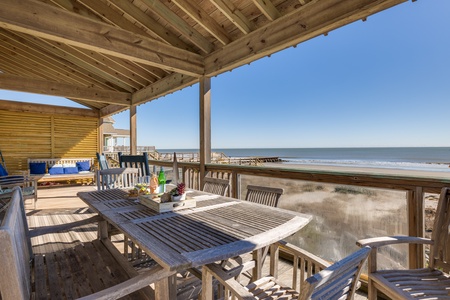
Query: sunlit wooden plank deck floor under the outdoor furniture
point(61, 205)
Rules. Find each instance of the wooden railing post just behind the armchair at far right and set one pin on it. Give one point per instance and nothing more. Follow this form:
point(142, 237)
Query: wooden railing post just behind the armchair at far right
point(416, 226)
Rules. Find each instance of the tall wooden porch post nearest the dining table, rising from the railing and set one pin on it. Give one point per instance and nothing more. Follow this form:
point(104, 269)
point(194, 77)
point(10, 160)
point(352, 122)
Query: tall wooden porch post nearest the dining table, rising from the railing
point(205, 126)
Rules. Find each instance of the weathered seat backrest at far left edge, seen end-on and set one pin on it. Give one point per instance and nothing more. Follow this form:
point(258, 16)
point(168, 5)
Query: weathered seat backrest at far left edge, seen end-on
point(16, 252)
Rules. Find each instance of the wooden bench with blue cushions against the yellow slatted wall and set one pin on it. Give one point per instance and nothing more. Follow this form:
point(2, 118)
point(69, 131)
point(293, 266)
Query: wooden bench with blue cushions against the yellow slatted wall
point(50, 162)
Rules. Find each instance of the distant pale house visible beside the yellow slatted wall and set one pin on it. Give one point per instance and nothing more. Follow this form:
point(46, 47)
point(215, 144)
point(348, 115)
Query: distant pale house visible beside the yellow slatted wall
point(114, 139)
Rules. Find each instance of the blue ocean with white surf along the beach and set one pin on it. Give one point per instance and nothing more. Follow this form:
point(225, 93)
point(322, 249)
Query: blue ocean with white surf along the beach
point(407, 158)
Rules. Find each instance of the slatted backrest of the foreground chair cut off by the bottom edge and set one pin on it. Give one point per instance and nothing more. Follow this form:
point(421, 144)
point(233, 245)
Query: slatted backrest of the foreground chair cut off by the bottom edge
point(338, 281)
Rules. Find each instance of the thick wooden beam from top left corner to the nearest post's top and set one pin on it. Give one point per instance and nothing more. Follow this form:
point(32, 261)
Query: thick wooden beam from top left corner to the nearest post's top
point(62, 26)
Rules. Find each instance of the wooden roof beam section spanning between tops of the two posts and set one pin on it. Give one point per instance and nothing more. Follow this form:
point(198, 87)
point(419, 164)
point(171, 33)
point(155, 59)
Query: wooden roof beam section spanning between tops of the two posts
point(168, 84)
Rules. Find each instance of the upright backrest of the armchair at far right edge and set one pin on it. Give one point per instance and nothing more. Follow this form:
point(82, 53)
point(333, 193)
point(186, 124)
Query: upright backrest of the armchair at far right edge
point(440, 250)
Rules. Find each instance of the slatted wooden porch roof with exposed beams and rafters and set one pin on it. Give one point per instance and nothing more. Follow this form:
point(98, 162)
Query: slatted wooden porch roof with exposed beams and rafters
point(110, 55)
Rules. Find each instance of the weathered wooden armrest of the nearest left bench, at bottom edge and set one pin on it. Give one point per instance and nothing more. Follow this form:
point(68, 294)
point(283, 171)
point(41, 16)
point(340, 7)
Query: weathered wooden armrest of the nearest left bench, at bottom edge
point(129, 286)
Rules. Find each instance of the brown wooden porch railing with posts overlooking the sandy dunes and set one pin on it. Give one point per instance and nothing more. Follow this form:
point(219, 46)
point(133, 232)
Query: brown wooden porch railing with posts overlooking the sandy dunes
point(414, 186)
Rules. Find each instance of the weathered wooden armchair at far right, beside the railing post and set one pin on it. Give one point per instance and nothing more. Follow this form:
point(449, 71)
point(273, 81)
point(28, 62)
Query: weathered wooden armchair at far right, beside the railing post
point(432, 281)
